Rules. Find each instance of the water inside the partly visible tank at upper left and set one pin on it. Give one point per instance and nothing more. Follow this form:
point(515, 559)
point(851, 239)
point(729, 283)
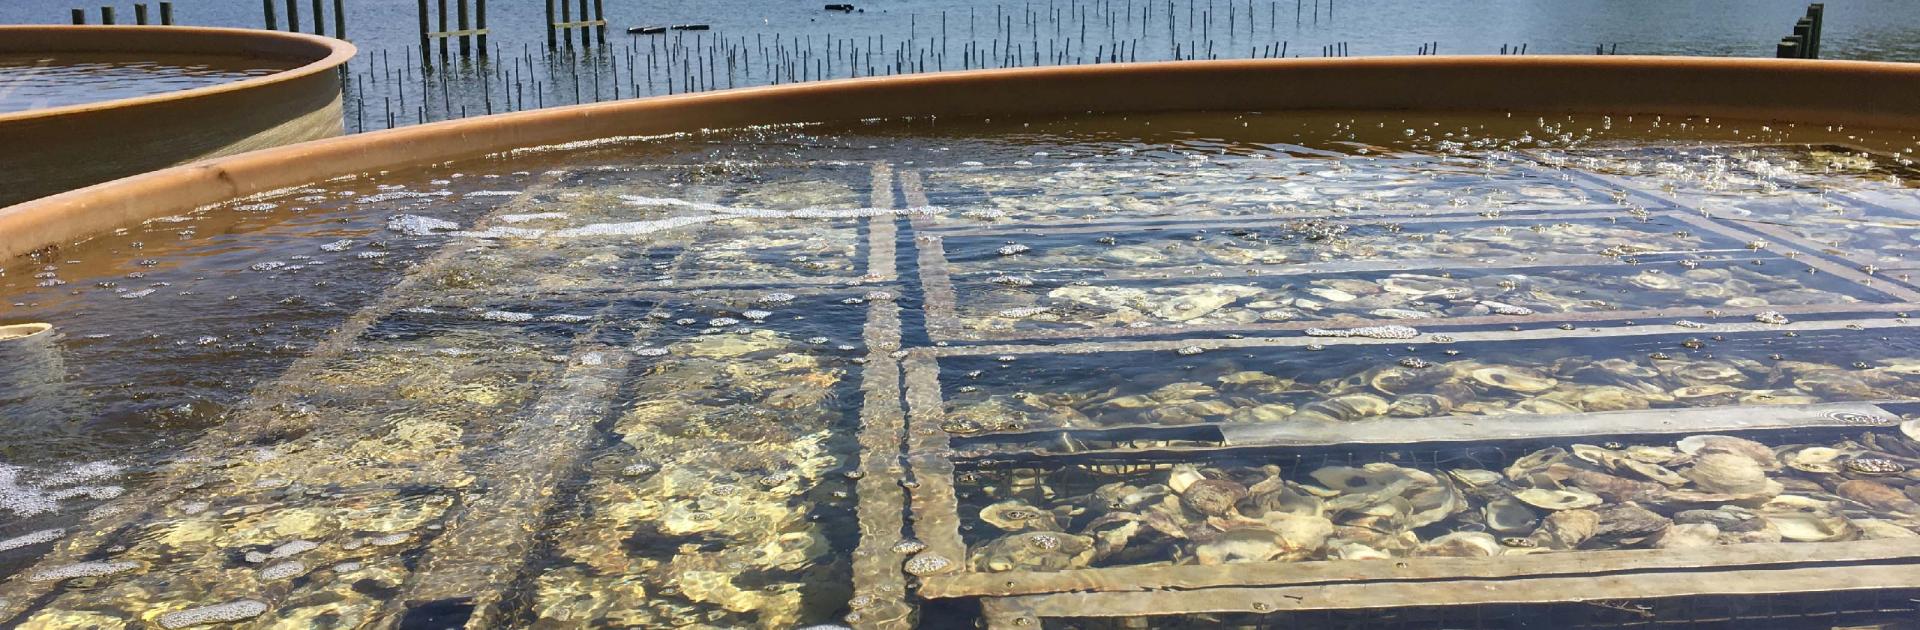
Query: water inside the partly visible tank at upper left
point(72, 80)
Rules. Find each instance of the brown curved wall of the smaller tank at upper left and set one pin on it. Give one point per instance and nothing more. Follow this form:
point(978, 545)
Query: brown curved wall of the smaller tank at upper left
point(62, 149)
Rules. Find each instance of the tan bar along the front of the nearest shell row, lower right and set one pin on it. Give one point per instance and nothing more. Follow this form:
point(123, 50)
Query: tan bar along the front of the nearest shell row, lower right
point(1141, 581)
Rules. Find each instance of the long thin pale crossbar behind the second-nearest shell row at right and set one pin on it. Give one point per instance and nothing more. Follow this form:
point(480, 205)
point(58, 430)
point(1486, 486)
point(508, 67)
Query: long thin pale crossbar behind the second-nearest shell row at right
point(1207, 345)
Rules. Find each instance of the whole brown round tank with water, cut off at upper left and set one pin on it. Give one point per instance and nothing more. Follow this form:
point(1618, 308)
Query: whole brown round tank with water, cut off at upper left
point(105, 103)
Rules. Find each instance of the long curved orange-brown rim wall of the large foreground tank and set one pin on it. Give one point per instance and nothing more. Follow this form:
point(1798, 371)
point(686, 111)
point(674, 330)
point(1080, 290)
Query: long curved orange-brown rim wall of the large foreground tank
point(1825, 93)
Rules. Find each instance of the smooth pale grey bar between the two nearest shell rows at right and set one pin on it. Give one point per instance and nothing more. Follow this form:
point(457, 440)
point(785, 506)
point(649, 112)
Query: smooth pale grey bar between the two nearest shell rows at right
point(1428, 431)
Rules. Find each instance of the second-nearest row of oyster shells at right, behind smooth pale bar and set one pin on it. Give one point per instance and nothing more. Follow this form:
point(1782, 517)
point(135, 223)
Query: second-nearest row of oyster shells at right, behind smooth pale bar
point(1416, 387)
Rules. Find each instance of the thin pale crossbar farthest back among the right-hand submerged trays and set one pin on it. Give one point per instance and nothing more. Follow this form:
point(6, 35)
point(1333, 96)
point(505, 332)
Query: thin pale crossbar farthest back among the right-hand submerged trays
point(1280, 218)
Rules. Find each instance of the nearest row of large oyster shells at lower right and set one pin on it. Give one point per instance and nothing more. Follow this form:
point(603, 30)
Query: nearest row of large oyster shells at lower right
point(1702, 491)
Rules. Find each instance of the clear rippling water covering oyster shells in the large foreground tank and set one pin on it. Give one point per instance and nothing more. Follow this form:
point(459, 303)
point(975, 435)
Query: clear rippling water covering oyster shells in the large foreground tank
point(671, 383)
